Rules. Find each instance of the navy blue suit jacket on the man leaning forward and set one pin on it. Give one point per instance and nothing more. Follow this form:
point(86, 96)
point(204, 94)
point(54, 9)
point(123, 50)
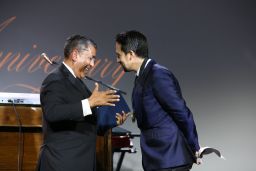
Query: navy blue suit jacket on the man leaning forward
point(168, 132)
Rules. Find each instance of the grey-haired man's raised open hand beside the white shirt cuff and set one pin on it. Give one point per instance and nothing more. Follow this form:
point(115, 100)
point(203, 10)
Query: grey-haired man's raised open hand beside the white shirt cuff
point(102, 98)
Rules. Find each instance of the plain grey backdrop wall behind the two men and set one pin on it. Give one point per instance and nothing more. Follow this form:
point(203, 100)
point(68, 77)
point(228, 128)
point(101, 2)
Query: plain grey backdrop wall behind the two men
point(209, 45)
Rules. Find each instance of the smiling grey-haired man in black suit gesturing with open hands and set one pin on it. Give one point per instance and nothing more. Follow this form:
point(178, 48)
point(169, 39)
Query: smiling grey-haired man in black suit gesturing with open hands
point(69, 119)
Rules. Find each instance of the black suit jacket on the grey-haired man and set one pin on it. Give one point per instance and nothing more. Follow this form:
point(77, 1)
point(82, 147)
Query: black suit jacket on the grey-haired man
point(69, 137)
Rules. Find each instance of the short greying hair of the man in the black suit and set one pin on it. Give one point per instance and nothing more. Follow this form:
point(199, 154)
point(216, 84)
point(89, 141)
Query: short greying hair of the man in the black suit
point(79, 42)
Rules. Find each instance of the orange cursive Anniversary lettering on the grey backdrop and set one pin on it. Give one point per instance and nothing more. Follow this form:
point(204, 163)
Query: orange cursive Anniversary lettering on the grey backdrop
point(31, 63)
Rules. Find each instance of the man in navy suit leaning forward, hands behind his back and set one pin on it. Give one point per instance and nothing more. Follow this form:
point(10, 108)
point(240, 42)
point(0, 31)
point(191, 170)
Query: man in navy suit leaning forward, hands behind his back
point(169, 140)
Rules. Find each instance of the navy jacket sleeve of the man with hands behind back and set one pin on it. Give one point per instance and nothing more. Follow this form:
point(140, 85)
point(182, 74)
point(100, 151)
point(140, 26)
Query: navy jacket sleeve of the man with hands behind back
point(168, 93)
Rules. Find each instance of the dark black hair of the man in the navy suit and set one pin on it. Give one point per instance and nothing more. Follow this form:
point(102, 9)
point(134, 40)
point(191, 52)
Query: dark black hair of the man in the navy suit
point(133, 41)
